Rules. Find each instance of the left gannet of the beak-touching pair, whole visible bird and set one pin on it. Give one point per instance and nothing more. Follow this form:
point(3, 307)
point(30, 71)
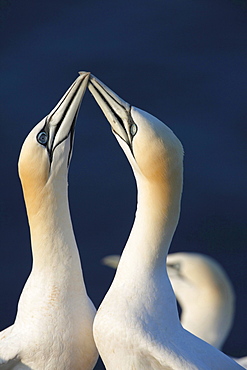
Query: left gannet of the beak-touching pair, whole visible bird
point(53, 325)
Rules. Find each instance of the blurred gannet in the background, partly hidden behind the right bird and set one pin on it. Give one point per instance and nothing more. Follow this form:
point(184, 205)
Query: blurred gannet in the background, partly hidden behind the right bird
point(204, 292)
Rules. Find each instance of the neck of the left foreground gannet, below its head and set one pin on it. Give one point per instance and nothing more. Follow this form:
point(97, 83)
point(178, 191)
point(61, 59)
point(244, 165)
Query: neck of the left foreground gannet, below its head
point(51, 228)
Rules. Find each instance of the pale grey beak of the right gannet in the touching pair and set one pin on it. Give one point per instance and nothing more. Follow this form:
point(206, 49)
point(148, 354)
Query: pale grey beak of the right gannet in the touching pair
point(115, 109)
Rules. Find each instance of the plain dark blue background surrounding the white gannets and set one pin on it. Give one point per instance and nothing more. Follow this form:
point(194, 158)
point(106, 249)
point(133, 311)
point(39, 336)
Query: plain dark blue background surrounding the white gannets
point(184, 62)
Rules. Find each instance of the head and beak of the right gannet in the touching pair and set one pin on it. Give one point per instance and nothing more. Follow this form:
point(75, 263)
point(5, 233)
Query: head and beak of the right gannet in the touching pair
point(151, 147)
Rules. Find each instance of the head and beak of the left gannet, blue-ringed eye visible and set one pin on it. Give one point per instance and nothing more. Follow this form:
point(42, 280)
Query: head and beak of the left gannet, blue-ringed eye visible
point(46, 152)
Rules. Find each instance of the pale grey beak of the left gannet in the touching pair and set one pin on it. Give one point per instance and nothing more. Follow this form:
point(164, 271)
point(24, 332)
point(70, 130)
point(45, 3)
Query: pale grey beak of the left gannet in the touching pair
point(60, 122)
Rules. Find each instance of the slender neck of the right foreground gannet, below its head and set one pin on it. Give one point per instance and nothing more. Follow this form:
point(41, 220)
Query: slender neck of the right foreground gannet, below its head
point(158, 207)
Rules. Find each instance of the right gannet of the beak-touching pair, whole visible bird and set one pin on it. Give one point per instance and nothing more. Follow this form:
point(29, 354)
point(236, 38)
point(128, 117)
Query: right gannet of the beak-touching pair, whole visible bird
point(137, 325)
